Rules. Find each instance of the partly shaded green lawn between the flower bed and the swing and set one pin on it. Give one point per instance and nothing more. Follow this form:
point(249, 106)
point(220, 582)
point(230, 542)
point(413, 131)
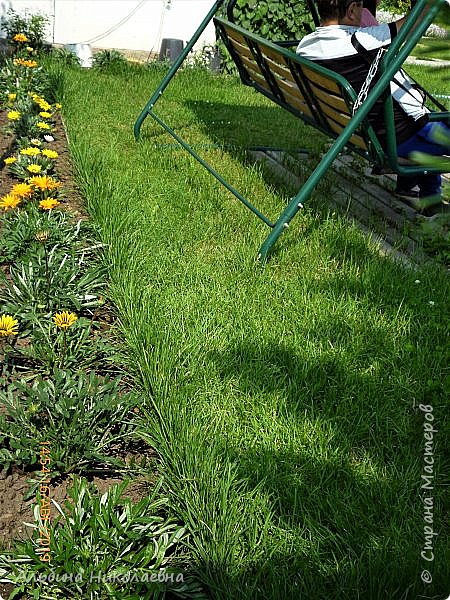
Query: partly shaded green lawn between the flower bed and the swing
point(282, 402)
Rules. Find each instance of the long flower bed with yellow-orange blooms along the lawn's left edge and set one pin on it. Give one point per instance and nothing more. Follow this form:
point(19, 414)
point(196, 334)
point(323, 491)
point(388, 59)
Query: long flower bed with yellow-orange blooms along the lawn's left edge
point(64, 409)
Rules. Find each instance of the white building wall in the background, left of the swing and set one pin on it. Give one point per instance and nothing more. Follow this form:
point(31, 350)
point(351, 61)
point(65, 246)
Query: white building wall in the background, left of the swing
point(127, 24)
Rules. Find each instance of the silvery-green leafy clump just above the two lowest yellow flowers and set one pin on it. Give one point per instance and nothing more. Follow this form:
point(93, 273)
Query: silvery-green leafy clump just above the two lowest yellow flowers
point(62, 272)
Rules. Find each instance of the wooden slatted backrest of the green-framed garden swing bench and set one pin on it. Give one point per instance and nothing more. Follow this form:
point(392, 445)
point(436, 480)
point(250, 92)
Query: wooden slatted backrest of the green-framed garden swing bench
point(316, 95)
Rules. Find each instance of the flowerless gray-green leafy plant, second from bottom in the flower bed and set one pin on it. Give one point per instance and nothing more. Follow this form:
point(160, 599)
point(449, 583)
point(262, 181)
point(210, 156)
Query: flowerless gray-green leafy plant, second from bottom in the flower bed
point(81, 415)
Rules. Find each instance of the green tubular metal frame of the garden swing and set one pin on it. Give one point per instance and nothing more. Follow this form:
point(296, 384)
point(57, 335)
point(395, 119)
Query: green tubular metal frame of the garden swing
point(394, 58)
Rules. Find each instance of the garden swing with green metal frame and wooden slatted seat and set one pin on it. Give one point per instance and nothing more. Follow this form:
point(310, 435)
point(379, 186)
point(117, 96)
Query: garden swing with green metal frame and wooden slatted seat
point(321, 98)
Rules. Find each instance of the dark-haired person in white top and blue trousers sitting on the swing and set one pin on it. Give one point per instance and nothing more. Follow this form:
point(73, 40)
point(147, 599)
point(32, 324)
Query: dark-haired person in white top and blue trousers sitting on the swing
point(343, 46)
